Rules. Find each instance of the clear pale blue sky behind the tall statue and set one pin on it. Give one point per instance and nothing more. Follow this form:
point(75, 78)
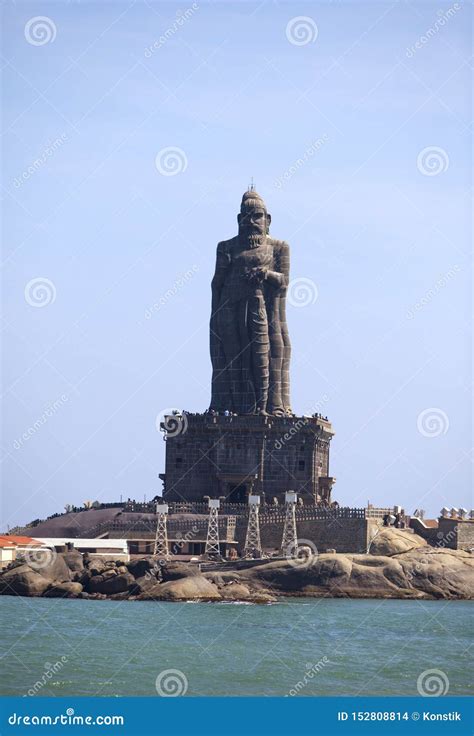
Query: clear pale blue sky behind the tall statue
point(338, 133)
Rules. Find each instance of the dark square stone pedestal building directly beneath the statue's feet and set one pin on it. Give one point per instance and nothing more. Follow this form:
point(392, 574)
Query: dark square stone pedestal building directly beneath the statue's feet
point(235, 456)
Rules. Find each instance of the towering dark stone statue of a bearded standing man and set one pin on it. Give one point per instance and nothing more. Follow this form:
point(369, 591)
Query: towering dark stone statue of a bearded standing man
point(249, 341)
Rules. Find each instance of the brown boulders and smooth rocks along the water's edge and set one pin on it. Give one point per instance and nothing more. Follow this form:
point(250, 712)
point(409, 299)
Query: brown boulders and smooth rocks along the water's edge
point(397, 565)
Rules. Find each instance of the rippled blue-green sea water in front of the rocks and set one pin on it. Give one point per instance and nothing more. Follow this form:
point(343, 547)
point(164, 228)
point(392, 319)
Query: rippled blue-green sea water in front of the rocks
point(297, 647)
